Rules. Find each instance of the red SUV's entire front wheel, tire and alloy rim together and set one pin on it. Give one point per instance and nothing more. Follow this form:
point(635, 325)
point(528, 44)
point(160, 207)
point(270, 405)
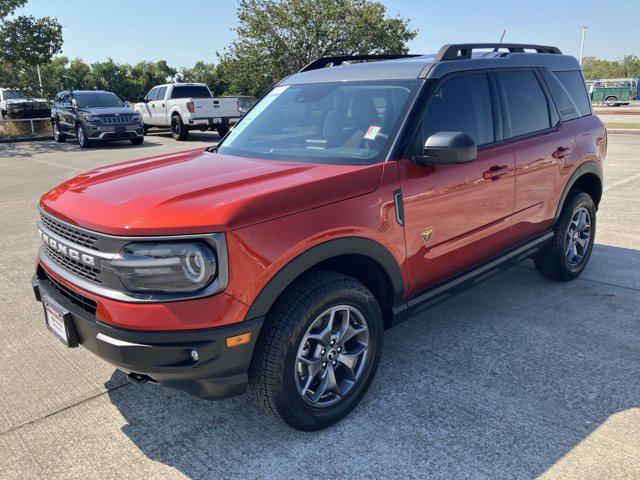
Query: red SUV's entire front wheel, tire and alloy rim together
point(318, 351)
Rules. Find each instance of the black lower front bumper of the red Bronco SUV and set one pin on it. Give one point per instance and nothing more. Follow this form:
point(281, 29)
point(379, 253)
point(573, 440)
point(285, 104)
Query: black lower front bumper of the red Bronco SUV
point(162, 356)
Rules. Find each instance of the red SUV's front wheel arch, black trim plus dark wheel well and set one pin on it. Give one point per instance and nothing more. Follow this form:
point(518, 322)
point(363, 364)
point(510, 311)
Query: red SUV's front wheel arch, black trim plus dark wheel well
point(364, 259)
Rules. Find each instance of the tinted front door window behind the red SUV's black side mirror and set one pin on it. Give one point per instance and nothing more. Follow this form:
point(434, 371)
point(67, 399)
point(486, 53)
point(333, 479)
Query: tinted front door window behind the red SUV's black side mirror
point(461, 104)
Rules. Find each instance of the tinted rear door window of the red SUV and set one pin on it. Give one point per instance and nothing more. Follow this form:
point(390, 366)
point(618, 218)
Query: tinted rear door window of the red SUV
point(527, 110)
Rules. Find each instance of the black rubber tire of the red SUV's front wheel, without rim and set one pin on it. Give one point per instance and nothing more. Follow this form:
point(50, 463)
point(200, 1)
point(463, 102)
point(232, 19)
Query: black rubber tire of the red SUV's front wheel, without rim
point(273, 373)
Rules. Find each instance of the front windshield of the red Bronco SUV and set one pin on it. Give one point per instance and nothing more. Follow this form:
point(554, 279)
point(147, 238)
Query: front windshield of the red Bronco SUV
point(348, 123)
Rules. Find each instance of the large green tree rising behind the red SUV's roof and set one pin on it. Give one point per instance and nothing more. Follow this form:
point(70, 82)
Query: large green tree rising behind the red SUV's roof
point(278, 37)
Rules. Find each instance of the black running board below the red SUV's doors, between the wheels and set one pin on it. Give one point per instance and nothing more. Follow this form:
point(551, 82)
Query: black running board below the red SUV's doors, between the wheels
point(448, 288)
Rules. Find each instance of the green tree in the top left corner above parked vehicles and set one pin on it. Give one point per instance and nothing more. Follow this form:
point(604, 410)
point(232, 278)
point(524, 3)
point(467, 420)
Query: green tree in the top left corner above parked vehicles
point(25, 43)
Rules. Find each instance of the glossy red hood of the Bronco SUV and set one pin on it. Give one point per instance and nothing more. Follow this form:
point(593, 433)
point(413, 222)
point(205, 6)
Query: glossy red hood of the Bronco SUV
point(199, 192)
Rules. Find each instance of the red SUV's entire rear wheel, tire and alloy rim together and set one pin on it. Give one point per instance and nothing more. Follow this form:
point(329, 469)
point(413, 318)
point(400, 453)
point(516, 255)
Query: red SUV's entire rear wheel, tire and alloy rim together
point(569, 252)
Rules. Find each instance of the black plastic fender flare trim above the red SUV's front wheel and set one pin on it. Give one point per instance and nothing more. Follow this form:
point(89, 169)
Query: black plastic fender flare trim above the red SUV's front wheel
point(319, 253)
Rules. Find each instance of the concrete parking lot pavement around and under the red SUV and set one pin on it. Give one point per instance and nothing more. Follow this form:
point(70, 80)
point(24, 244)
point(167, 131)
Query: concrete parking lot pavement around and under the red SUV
point(517, 378)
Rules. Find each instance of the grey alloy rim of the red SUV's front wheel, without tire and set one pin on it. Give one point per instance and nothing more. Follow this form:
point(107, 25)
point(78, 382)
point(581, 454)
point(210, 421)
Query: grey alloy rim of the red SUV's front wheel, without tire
point(332, 356)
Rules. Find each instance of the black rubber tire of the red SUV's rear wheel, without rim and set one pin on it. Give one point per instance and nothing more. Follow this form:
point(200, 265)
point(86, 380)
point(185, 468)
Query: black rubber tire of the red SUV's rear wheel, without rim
point(552, 262)
